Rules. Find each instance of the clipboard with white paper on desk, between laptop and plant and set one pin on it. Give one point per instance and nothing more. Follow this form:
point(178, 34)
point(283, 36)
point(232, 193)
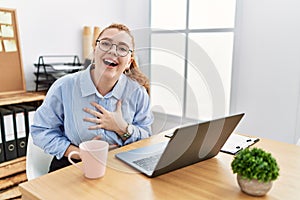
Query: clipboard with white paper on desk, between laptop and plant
point(236, 142)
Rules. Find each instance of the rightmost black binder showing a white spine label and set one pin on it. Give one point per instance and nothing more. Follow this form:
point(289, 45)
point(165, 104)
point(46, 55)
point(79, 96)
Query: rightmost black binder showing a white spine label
point(19, 129)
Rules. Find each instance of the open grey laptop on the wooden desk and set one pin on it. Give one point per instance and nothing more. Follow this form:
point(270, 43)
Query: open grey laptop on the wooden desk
point(188, 145)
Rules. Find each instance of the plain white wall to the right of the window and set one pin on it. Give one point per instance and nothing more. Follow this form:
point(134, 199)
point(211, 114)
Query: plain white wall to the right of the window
point(266, 76)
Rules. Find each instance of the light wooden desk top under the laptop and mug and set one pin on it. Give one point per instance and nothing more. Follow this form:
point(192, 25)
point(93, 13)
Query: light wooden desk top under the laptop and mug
point(210, 179)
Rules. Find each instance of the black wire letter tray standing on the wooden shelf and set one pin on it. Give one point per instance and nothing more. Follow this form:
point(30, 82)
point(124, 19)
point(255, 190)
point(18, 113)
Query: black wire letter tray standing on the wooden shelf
point(51, 67)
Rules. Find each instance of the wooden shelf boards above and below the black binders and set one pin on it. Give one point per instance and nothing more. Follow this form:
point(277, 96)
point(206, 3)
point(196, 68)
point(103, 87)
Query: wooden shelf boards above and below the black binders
point(13, 172)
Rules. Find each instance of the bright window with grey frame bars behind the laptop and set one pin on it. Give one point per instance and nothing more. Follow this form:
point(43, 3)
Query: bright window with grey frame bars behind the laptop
point(191, 57)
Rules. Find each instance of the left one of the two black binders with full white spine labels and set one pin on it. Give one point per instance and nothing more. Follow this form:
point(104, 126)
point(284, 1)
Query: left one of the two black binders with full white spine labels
point(8, 135)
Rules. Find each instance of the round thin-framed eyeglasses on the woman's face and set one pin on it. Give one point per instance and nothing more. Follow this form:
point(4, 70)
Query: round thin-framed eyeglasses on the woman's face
point(106, 45)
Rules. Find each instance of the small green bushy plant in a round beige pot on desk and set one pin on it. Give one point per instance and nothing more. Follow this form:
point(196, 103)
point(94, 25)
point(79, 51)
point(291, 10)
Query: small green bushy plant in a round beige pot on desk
point(256, 169)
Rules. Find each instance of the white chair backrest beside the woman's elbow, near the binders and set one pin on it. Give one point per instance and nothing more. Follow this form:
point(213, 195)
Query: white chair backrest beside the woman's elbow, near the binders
point(37, 161)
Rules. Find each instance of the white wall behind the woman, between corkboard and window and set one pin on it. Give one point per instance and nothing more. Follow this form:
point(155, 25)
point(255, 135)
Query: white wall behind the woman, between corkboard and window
point(55, 27)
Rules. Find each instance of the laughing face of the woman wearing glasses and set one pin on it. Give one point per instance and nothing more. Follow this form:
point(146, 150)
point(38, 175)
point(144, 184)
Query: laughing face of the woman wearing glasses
point(108, 62)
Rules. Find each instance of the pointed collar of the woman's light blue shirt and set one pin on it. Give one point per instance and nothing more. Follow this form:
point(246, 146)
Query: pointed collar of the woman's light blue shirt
point(88, 88)
